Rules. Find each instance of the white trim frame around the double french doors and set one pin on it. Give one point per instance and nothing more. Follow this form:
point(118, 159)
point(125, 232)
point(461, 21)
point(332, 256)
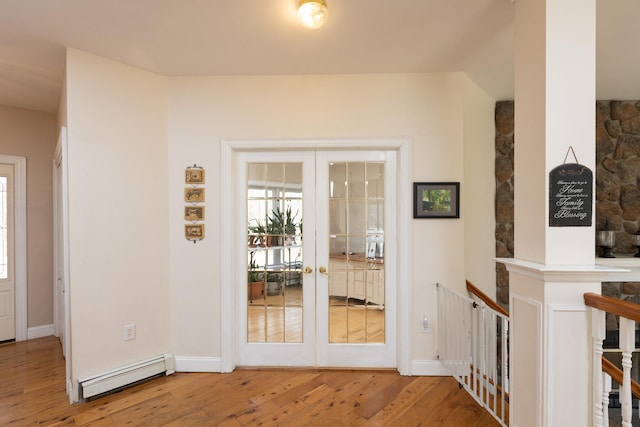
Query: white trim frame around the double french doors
point(228, 224)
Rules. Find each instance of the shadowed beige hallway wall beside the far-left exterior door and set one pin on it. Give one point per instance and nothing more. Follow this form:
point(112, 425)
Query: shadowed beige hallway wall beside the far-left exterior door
point(33, 134)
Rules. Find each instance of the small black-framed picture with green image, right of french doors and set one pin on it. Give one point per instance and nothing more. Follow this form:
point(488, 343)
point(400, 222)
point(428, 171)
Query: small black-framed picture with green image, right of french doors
point(436, 200)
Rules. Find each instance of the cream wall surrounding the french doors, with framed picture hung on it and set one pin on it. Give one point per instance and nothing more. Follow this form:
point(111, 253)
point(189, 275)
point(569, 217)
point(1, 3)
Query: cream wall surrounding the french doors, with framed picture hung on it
point(429, 109)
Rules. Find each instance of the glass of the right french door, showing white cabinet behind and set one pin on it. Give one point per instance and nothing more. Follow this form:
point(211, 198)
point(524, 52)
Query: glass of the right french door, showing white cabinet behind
point(356, 259)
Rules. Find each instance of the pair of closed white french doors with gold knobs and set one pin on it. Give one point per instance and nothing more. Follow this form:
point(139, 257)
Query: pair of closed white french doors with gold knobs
point(318, 280)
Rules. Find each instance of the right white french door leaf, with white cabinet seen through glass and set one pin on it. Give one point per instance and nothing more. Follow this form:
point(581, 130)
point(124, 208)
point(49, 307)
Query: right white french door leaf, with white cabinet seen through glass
point(355, 251)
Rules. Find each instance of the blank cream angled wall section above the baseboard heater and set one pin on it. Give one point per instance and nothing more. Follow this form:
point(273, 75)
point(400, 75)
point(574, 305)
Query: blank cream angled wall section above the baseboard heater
point(118, 213)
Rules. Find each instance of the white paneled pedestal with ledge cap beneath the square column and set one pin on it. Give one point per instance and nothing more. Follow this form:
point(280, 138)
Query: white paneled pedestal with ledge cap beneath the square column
point(552, 344)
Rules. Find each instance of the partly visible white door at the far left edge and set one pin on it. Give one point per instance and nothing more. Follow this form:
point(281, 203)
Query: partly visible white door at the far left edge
point(7, 251)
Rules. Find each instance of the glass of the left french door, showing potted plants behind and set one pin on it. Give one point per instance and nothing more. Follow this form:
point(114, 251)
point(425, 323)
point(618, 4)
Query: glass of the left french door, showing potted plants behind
point(274, 252)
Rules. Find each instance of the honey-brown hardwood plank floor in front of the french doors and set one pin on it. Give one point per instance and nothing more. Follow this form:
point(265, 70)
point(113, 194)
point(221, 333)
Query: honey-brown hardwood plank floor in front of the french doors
point(32, 393)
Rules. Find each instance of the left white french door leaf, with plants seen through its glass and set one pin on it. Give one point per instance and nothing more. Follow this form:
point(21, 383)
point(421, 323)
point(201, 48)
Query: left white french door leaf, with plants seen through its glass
point(277, 286)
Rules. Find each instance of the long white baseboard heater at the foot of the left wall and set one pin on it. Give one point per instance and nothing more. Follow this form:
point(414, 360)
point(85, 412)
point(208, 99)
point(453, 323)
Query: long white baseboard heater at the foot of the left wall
point(117, 378)
